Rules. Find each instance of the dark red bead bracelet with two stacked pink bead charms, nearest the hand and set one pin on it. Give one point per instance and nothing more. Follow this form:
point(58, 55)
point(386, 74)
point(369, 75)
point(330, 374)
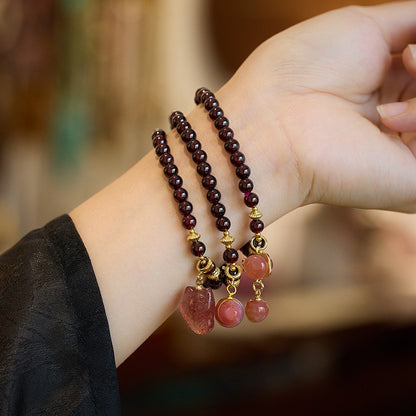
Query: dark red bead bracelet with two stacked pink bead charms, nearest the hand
point(258, 265)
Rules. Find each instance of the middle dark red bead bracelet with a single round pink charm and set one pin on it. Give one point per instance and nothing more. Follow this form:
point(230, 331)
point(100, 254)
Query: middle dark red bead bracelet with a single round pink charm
point(229, 310)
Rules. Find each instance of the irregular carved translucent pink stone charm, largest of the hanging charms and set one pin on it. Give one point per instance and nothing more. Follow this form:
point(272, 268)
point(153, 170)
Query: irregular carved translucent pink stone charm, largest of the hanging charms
point(198, 309)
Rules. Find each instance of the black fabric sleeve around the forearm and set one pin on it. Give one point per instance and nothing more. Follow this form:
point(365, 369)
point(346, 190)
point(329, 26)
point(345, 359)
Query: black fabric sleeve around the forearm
point(56, 356)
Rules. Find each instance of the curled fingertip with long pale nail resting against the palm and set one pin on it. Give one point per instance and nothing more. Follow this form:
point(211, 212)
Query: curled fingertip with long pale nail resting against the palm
point(400, 116)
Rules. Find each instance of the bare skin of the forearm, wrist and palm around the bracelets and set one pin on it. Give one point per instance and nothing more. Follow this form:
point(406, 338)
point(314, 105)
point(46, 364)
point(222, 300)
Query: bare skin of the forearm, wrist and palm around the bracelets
point(304, 108)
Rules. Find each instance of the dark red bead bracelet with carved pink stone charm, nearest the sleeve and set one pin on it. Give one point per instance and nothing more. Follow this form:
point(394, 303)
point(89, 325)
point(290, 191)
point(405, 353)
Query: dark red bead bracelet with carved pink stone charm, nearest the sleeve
point(198, 305)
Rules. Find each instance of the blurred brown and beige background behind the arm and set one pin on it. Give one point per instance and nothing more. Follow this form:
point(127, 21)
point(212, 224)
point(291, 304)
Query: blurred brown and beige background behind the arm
point(82, 86)
